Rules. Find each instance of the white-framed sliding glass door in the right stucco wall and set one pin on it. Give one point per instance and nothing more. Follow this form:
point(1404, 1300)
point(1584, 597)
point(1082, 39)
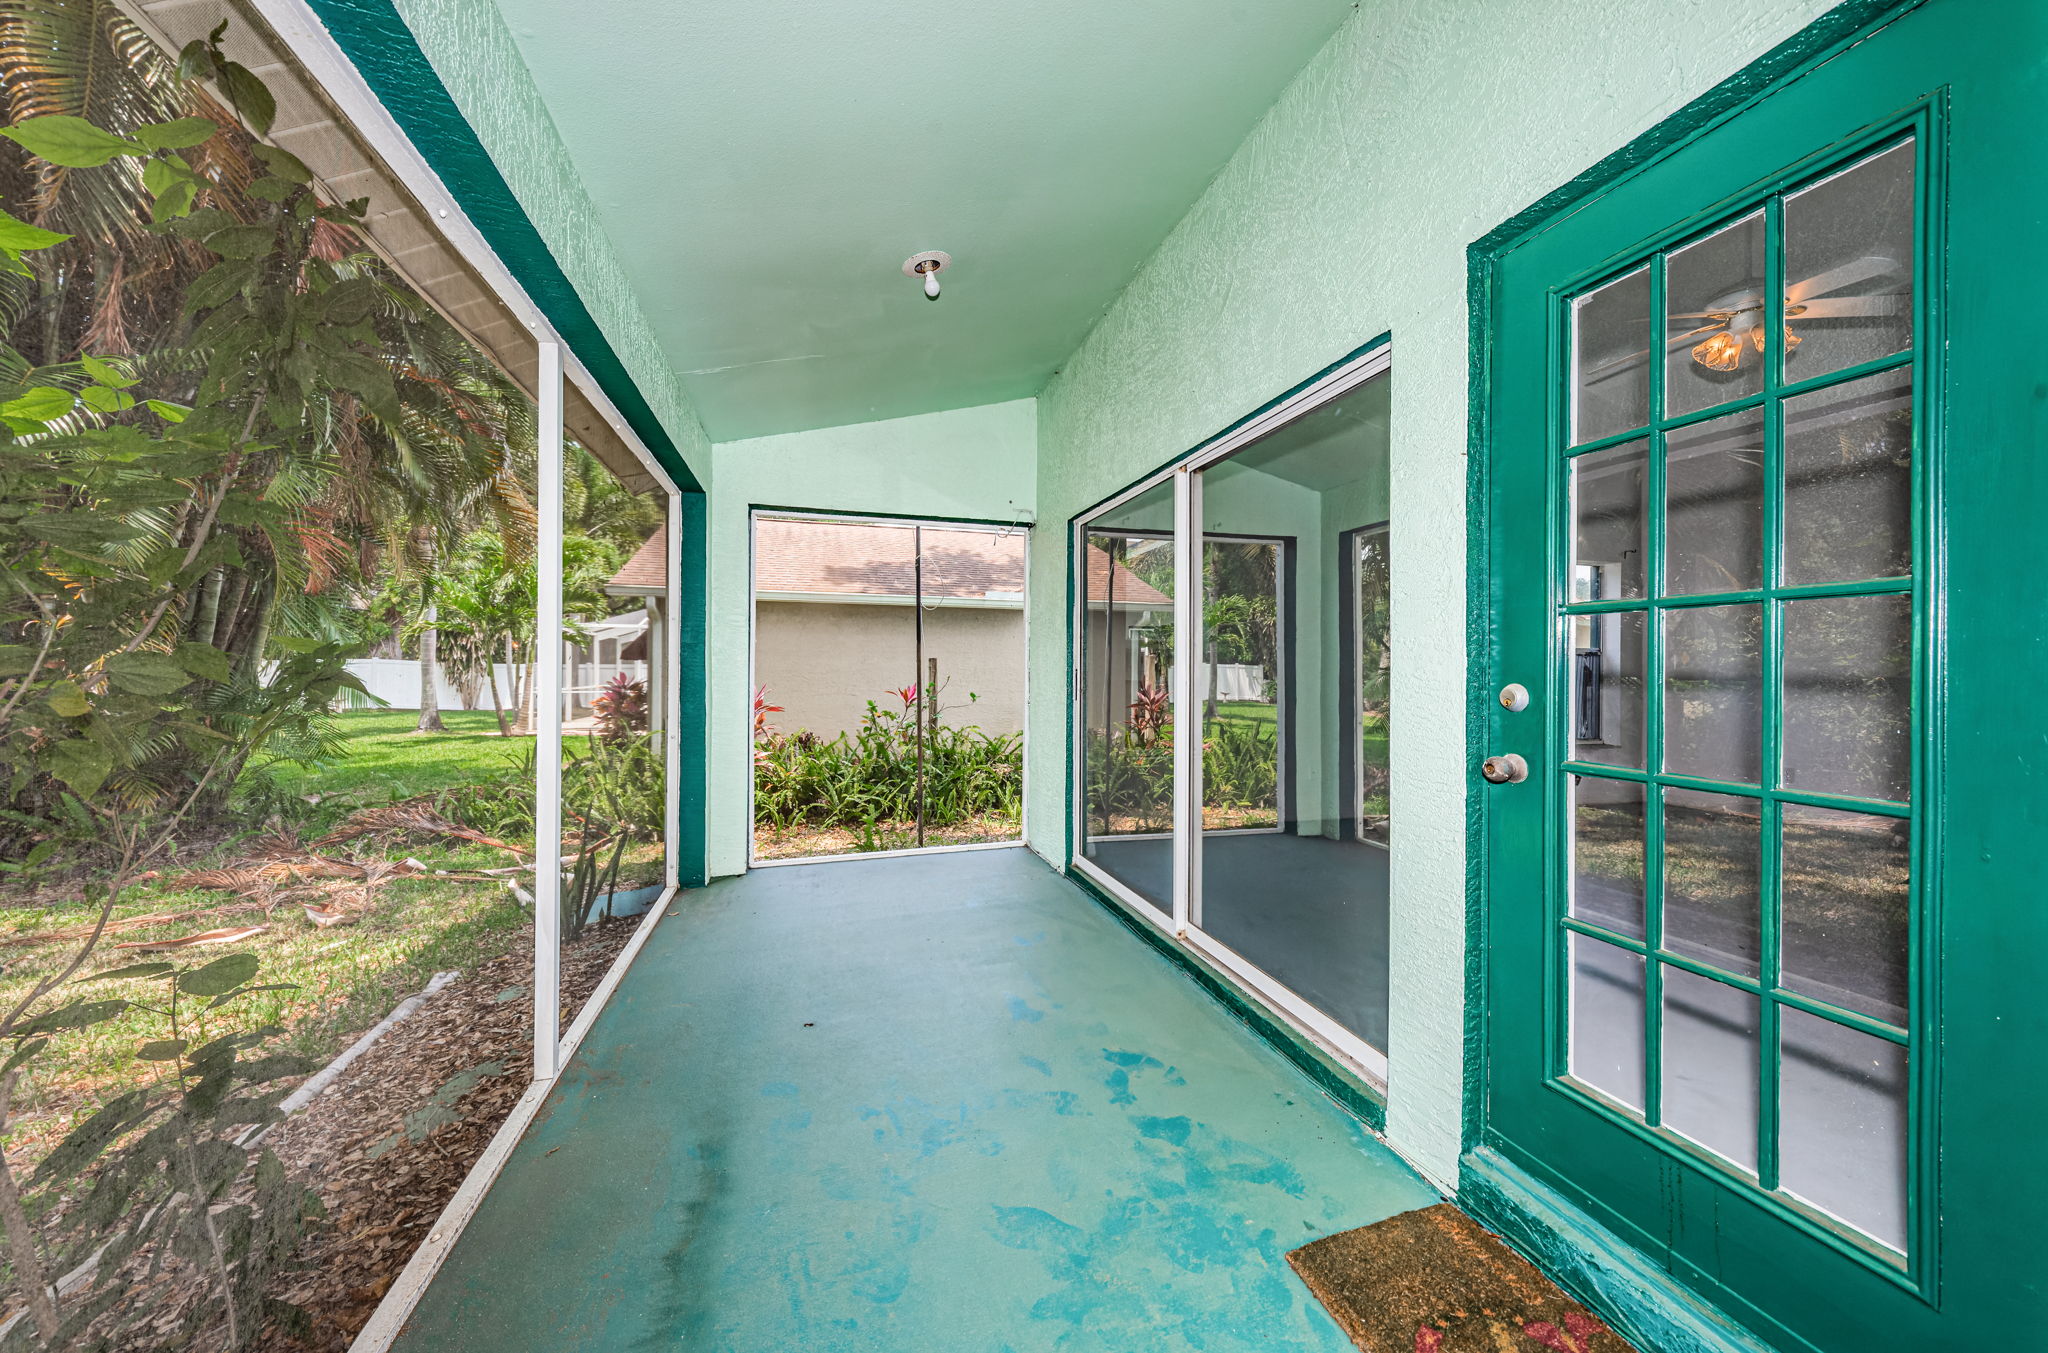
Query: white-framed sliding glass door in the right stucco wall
point(1242, 599)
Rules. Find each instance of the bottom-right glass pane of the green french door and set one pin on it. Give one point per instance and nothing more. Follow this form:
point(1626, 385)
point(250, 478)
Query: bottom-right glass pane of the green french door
point(1842, 1125)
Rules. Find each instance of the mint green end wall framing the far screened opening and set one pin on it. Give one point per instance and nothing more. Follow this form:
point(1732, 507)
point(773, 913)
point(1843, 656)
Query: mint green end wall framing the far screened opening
point(964, 464)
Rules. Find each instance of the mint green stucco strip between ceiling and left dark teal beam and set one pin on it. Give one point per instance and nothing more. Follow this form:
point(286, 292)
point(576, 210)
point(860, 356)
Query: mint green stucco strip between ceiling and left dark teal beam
point(478, 62)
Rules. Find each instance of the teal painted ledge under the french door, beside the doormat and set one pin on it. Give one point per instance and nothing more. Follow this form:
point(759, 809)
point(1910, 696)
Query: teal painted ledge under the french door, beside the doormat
point(1621, 1284)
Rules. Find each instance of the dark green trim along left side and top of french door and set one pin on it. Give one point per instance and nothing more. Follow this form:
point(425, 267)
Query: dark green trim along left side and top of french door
point(1805, 50)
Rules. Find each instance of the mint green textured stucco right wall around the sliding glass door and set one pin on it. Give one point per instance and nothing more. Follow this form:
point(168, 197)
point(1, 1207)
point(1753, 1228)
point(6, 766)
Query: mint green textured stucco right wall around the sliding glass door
point(1347, 214)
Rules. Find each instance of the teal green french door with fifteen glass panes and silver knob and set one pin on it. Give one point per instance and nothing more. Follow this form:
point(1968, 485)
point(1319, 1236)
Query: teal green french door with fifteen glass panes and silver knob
point(1768, 797)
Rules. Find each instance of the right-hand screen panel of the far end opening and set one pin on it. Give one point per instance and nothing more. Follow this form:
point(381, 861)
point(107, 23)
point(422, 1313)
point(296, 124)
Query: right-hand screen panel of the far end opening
point(974, 683)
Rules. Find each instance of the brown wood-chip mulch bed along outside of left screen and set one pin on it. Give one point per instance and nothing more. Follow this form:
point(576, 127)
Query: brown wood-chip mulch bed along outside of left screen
point(394, 1137)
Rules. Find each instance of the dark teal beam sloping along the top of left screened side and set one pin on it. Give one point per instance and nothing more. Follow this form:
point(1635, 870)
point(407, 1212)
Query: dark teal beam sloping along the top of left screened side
point(384, 50)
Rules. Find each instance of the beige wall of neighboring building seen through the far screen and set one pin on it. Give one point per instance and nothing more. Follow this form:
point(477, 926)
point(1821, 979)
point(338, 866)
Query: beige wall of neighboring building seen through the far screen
point(824, 662)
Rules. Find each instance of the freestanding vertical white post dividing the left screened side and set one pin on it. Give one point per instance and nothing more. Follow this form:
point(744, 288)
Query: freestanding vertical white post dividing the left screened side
point(548, 738)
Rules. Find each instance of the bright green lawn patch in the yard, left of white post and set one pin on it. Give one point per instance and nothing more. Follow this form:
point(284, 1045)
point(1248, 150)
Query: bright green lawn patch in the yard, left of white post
point(388, 760)
